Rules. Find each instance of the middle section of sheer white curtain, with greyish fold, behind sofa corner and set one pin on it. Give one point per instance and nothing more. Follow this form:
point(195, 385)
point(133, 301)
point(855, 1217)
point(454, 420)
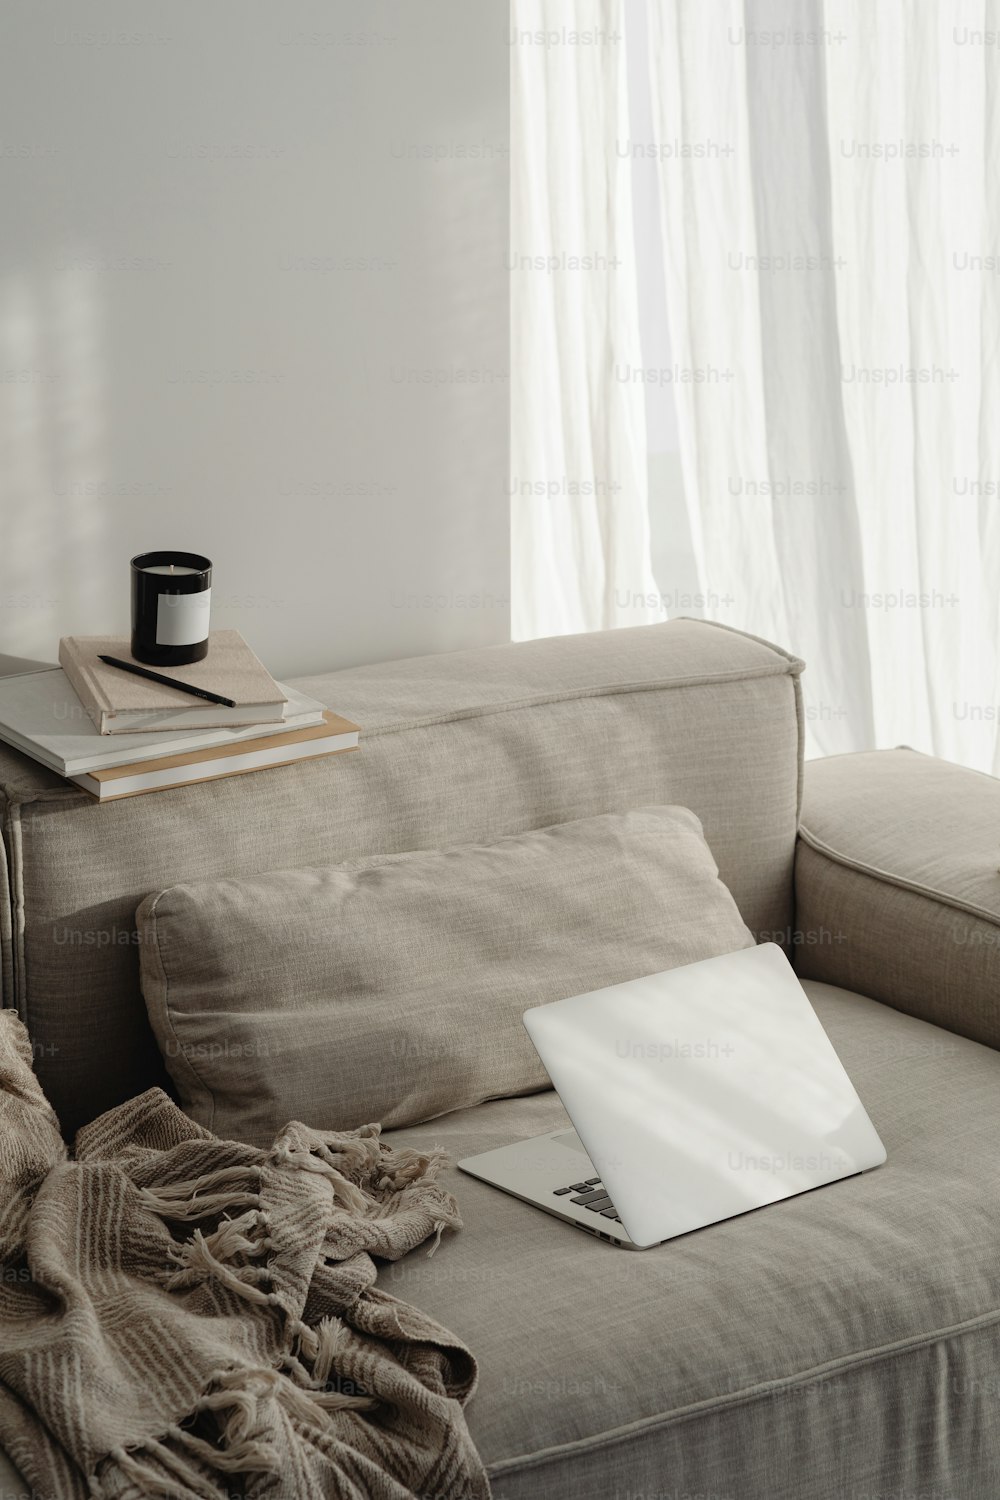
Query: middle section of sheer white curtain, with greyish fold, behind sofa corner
point(750, 269)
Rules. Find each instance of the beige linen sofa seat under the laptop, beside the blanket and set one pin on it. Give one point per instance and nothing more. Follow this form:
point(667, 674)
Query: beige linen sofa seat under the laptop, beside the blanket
point(843, 1343)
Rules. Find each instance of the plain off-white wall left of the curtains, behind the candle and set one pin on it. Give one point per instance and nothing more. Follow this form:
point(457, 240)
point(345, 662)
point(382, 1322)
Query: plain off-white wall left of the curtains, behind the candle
point(254, 304)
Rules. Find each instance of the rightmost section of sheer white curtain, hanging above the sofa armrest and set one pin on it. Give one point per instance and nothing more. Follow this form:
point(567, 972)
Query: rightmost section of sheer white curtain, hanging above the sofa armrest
point(912, 202)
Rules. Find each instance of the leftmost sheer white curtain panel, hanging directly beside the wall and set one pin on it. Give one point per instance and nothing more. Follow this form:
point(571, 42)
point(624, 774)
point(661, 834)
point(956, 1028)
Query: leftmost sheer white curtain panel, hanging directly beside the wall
point(578, 485)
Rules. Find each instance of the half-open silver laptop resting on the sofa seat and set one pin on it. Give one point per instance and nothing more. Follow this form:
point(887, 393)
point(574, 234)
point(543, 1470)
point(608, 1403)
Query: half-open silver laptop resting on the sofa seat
point(696, 1096)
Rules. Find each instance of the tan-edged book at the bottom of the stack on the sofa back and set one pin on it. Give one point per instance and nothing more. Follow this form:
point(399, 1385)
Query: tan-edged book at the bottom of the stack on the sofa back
point(335, 736)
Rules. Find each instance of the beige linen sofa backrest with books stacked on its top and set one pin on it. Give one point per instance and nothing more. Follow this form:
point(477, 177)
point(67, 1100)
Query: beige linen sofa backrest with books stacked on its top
point(455, 749)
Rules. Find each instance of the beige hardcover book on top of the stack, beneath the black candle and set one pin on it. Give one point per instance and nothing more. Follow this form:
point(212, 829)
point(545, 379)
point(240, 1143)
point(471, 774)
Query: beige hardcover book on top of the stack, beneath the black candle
point(121, 703)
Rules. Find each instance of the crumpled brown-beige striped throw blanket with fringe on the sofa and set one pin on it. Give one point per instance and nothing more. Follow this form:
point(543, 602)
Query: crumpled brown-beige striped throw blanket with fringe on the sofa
point(193, 1318)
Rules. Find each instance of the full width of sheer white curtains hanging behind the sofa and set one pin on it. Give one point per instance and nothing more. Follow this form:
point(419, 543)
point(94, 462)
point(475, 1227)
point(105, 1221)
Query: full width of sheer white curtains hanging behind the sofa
point(830, 203)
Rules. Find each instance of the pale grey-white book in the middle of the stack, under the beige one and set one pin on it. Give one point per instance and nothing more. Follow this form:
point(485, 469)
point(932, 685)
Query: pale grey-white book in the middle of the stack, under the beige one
point(43, 716)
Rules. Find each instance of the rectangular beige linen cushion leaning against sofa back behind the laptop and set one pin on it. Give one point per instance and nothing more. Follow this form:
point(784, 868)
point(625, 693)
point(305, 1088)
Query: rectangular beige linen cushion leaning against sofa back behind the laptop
point(392, 989)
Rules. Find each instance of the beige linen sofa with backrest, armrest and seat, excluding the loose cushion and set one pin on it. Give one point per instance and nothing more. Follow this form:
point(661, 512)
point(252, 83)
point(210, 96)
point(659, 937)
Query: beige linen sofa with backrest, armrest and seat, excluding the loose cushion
point(842, 1345)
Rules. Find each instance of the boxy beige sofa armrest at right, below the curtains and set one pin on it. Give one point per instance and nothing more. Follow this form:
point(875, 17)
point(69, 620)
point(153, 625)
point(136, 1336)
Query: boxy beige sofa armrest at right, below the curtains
point(899, 887)
